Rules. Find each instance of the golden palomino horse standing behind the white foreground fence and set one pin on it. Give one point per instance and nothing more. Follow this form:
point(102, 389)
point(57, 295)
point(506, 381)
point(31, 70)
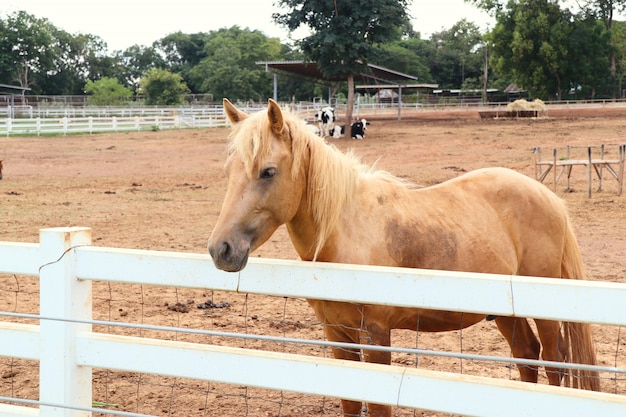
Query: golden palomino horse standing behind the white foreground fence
point(338, 210)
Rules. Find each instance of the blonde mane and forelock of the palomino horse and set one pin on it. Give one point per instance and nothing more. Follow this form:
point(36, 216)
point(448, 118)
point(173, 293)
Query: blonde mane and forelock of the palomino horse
point(333, 177)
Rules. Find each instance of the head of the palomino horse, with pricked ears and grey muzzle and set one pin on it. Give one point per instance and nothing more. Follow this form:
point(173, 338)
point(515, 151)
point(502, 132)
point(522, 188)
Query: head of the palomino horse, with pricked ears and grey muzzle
point(265, 185)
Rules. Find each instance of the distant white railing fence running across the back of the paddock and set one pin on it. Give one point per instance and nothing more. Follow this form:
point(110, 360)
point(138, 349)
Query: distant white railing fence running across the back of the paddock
point(93, 119)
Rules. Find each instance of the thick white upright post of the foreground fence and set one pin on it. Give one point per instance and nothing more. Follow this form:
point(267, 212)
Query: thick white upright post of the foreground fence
point(63, 296)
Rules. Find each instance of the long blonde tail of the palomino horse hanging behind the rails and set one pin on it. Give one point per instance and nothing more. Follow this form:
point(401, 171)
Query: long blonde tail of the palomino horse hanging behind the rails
point(579, 335)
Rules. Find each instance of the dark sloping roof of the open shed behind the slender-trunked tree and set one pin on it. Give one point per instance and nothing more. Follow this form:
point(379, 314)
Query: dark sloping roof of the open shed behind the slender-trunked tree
point(372, 73)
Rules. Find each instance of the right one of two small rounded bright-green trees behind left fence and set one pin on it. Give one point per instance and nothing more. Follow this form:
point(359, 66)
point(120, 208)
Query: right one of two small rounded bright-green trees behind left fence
point(162, 87)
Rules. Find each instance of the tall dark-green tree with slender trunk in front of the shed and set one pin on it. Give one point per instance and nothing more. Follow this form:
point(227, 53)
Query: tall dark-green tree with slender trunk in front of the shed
point(344, 33)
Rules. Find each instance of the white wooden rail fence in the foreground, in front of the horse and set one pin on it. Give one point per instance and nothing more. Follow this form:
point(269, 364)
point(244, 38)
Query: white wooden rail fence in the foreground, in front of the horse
point(67, 348)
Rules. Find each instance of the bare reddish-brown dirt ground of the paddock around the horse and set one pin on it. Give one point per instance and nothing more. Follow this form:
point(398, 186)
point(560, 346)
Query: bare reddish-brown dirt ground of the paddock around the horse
point(163, 190)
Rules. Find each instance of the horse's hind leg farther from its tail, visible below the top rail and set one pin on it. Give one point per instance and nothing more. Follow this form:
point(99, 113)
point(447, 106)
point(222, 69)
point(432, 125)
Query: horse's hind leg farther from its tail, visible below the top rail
point(523, 343)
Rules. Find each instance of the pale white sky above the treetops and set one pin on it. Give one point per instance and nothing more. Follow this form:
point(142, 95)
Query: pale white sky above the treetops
point(124, 23)
